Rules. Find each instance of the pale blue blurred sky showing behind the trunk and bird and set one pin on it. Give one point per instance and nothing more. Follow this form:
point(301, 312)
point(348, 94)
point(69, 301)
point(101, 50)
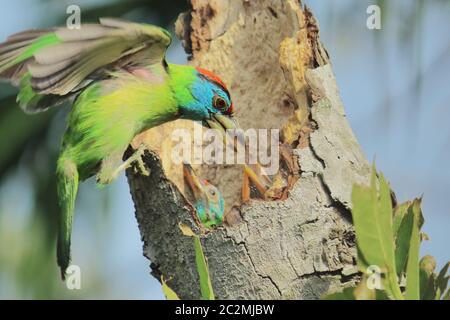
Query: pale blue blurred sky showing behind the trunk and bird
point(403, 125)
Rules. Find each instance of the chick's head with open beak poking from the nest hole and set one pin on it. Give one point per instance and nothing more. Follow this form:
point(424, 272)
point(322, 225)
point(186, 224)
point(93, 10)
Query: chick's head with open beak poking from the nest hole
point(208, 200)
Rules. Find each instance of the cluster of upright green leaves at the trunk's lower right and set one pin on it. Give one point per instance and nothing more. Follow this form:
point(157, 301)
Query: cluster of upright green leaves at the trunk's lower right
point(388, 241)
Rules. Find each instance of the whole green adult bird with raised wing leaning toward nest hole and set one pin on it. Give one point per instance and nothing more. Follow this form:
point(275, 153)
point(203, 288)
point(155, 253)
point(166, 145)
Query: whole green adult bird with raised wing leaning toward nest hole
point(120, 84)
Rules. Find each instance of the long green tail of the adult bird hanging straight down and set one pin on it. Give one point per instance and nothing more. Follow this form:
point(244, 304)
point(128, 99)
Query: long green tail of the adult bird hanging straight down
point(67, 191)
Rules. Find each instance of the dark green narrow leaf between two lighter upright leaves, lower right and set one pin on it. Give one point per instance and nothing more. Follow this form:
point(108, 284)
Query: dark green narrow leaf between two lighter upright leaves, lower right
point(403, 241)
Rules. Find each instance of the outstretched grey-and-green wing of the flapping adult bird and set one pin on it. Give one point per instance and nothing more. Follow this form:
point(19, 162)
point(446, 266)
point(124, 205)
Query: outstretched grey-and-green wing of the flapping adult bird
point(53, 64)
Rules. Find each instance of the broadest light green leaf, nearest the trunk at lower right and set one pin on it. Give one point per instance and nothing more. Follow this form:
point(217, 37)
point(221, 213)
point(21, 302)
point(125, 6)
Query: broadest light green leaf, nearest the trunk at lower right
point(372, 217)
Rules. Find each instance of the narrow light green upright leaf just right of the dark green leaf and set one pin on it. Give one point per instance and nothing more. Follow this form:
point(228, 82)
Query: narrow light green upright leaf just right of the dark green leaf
point(412, 268)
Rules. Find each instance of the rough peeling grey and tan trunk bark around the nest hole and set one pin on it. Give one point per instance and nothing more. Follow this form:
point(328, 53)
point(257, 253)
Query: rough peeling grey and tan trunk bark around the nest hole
point(279, 75)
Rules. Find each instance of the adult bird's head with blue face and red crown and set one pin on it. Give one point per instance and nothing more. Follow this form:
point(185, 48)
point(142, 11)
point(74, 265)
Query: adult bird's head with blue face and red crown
point(212, 102)
